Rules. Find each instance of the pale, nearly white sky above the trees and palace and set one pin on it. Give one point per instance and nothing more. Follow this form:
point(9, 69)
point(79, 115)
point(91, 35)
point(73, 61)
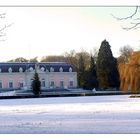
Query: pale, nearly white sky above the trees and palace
point(41, 31)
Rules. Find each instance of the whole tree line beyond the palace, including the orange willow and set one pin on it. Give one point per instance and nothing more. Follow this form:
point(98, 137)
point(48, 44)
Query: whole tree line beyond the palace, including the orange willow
point(100, 69)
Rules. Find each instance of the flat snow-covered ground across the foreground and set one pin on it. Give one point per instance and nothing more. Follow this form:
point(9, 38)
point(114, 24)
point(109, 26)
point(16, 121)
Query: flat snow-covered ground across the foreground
point(93, 114)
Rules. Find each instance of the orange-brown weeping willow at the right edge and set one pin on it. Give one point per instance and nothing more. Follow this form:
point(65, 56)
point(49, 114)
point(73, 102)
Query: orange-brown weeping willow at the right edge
point(130, 73)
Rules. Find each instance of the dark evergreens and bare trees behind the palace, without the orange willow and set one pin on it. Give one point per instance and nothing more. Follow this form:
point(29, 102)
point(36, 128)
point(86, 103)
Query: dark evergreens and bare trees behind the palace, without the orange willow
point(99, 69)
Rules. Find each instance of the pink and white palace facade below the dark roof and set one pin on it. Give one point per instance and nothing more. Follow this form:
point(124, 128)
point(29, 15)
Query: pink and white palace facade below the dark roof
point(49, 79)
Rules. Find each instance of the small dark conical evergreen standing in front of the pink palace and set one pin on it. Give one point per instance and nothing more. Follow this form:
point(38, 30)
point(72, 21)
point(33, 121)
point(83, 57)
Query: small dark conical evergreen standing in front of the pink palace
point(36, 84)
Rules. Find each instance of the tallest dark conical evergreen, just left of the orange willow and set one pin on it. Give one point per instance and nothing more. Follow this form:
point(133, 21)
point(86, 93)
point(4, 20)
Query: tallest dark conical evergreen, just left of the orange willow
point(107, 73)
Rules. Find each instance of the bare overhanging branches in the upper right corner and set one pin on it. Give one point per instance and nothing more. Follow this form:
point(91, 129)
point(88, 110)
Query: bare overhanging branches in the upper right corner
point(133, 19)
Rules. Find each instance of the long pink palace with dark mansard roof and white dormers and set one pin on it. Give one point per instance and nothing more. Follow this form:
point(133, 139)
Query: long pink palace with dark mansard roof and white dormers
point(52, 75)
